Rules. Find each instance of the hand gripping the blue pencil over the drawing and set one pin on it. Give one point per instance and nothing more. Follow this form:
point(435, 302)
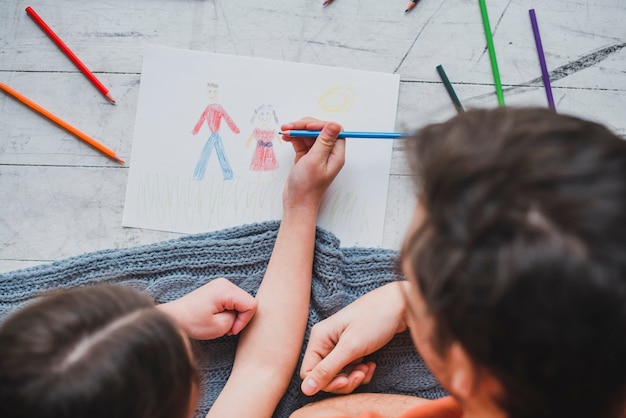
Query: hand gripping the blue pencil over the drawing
point(317, 162)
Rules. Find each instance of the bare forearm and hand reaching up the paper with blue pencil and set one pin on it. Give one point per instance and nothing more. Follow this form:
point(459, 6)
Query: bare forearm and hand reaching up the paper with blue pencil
point(269, 347)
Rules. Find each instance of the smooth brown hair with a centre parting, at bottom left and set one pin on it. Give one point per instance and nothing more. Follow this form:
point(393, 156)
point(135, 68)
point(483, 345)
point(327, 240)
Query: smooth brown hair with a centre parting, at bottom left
point(101, 351)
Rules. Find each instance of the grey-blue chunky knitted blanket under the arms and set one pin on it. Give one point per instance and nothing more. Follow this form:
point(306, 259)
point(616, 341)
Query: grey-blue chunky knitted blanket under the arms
point(171, 269)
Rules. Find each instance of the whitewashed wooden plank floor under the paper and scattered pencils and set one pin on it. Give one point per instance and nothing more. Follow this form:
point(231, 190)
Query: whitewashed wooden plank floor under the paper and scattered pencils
point(59, 198)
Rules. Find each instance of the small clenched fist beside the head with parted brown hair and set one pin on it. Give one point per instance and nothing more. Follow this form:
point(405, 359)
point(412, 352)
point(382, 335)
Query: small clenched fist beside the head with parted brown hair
point(218, 308)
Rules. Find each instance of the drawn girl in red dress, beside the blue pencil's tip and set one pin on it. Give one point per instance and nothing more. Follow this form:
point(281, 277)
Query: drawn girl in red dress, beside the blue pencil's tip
point(264, 133)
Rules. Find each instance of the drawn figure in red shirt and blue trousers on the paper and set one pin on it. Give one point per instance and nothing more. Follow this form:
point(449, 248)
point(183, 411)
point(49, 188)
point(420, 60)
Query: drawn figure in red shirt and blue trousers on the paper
point(213, 115)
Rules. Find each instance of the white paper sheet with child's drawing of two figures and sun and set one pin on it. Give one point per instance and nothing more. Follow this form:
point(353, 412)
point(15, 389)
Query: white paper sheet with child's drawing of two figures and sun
point(166, 192)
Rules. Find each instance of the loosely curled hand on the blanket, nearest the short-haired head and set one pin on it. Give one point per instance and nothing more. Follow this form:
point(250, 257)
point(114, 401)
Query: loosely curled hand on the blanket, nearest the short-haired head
point(333, 358)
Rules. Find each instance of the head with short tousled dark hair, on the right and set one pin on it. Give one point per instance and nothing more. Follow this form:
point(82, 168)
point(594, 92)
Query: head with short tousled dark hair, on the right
point(522, 256)
